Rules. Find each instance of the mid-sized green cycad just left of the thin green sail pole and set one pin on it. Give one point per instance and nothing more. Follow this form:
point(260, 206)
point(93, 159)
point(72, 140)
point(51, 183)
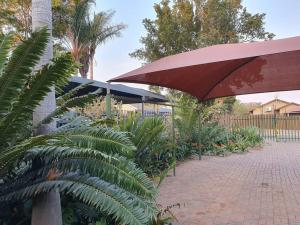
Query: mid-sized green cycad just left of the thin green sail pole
point(154, 152)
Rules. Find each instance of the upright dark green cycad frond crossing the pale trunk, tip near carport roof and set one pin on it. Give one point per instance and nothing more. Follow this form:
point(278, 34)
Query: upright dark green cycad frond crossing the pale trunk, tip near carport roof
point(54, 74)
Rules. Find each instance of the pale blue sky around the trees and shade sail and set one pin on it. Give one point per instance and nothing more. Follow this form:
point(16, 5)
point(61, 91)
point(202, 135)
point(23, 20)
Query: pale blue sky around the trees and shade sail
point(112, 59)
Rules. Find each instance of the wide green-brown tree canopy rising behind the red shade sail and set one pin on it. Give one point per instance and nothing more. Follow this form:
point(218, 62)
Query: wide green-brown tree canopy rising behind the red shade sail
point(184, 25)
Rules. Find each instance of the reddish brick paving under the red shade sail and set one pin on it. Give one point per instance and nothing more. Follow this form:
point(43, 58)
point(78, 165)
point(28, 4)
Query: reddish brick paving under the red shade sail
point(261, 187)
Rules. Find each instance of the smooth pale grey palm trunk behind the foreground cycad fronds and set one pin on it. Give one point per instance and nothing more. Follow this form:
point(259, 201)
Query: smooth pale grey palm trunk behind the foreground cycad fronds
point(46, 208)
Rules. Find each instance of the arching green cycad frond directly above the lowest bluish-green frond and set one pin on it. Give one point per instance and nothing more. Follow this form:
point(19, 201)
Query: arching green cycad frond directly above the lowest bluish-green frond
point(113, 169)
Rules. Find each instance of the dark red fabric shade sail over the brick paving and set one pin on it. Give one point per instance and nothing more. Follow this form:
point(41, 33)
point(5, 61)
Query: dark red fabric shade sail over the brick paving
point(226, 70)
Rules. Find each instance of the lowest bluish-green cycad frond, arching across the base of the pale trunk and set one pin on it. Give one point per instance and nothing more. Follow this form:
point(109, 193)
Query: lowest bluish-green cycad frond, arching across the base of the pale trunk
point(114, 201)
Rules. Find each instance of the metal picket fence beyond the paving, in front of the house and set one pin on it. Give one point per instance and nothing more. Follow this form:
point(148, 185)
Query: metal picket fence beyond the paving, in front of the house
point(271, 127)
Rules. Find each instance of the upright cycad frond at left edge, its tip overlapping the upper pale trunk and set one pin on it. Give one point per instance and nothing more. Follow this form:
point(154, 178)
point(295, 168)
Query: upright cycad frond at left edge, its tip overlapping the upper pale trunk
point(19, 68)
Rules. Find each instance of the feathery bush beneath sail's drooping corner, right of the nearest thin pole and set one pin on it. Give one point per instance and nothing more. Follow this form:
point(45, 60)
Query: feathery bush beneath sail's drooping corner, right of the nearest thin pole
point(196, 129)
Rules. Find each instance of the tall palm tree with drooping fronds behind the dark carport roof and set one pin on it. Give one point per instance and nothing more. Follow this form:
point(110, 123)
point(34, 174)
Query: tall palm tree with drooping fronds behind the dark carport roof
point(84, 34)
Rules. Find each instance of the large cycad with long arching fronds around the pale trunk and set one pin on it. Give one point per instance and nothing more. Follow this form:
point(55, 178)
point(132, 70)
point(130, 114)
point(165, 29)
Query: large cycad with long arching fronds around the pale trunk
point(89, 164)
